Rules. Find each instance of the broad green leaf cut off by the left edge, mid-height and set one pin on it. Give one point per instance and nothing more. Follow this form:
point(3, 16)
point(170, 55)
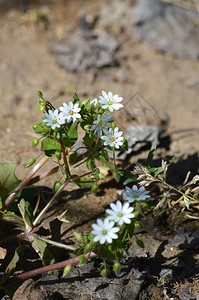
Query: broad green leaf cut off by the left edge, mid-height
point(8, 180)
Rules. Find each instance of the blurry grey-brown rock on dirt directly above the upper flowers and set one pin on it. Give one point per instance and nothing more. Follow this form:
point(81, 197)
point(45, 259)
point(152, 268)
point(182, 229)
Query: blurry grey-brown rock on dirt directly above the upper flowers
point(86, 49)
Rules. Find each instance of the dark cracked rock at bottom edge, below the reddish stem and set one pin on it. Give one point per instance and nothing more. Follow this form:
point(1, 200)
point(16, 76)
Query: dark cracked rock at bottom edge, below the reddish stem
point(87, 283)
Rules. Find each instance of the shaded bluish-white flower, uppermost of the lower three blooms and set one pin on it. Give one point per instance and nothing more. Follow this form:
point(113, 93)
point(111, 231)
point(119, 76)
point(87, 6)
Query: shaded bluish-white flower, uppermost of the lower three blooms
point(135, 193)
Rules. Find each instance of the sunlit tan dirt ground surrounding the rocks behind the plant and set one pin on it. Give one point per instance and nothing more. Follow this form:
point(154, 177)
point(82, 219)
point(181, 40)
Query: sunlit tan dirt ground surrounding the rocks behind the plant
point(162, 82)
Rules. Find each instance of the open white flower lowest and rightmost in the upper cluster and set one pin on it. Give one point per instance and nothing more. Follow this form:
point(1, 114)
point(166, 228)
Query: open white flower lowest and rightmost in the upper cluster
point(113, 138)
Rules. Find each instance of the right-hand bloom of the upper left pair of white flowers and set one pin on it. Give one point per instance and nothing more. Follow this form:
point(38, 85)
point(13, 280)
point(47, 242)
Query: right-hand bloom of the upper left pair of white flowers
point(71, 111)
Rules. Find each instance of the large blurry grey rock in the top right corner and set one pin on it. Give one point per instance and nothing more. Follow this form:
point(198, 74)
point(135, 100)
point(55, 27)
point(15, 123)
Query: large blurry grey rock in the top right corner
point(167, 28)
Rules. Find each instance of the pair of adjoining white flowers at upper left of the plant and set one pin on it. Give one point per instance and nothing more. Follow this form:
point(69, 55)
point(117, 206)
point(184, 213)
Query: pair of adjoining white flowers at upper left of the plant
point(68, 113)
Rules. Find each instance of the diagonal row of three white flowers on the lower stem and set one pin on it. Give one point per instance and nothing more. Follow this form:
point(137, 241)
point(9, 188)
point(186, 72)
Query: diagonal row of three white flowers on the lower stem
point(106, 230)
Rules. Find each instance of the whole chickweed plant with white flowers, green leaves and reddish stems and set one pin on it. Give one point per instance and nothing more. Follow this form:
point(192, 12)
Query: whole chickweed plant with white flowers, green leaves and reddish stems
point(58, 134)
